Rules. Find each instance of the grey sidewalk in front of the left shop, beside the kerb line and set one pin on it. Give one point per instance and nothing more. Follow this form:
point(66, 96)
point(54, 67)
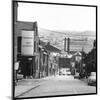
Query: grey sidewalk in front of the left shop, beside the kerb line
point(25, 85)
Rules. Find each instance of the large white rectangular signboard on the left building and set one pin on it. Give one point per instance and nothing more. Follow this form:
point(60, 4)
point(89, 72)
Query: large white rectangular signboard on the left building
point(27, 43)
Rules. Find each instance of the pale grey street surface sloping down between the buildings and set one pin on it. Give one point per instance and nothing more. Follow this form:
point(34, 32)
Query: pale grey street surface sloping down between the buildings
point(59, 85)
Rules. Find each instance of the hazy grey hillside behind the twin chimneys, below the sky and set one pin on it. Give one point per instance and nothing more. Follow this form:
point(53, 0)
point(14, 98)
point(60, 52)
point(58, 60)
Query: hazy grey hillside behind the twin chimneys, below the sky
point(56, 38)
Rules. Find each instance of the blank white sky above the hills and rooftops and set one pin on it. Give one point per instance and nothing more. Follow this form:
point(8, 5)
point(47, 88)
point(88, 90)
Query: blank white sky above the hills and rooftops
point(58, 17)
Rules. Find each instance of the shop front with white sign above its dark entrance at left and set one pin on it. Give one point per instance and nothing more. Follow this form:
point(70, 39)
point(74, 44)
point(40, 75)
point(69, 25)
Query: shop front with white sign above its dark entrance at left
point(27, 53)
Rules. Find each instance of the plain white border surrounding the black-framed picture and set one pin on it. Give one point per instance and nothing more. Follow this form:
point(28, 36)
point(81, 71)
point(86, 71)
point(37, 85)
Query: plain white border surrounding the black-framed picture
point(5, 49)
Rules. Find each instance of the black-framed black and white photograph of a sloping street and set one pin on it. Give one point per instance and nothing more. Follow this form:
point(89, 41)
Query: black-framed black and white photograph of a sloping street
point(54, 49)
